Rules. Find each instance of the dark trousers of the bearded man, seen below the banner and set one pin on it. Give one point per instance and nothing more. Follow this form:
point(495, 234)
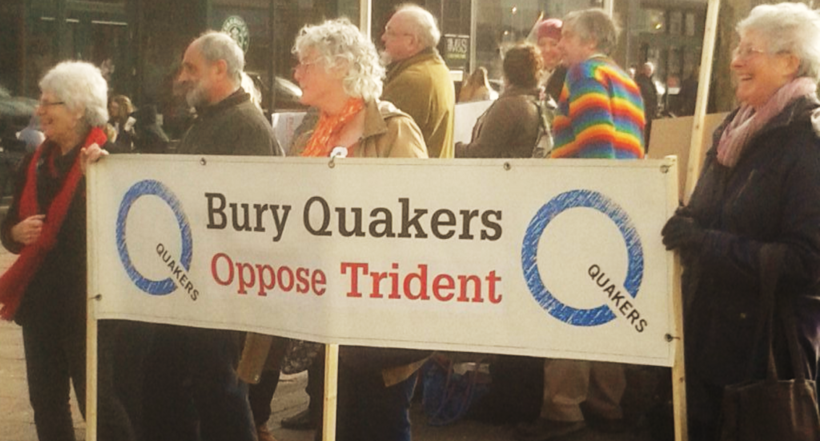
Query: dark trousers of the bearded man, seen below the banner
point(192, 392)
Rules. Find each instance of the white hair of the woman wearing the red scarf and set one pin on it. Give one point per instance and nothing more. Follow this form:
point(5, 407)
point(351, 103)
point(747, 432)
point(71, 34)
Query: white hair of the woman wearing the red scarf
point(79, 85)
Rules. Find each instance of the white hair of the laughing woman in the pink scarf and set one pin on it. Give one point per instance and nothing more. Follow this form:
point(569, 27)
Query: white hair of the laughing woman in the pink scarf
point(788, 27)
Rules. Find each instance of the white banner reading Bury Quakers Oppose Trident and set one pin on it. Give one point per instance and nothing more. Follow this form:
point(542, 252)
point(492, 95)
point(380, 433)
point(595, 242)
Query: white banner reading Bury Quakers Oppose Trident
point(526, 257)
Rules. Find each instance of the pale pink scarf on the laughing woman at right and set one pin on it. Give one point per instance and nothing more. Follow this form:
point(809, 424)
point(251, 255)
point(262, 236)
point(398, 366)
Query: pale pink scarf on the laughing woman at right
point(747, 122)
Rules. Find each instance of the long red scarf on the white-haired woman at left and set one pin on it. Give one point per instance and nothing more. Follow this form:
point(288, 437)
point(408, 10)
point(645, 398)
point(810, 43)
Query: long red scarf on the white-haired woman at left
point(14, 282)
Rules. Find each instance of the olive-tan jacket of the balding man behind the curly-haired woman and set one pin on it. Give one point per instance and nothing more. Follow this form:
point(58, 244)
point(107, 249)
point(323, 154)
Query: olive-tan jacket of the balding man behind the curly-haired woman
point(421, 87)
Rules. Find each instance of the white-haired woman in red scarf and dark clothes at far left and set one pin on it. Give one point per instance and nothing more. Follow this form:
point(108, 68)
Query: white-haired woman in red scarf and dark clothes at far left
point(45, 289)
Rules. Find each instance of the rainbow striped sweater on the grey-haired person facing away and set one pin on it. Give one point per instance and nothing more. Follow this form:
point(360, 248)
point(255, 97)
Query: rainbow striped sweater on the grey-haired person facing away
point(600, 113)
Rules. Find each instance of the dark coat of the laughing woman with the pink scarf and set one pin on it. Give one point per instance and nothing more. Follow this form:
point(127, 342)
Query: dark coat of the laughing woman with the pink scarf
point(772, 195)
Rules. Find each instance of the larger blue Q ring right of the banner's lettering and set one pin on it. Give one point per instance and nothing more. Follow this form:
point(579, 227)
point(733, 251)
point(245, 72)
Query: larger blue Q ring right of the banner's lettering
point(529, 255)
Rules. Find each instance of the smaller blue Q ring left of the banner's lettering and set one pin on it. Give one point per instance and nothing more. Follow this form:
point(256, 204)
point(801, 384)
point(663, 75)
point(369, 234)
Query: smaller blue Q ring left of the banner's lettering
point(153, 188)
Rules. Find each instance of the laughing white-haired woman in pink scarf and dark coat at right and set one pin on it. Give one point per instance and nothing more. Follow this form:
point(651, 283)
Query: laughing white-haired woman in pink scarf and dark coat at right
point(755, 216)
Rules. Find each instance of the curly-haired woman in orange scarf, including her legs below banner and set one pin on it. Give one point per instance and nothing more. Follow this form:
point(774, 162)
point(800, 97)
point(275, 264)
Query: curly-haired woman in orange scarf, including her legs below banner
point(340, 74)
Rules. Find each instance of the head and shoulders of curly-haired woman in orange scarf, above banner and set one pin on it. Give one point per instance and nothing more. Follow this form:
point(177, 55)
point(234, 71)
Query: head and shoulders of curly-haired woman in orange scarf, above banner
point(340, 74)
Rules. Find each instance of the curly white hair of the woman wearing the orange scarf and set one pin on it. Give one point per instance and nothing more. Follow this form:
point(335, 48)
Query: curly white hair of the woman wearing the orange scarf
point(339, 40)
